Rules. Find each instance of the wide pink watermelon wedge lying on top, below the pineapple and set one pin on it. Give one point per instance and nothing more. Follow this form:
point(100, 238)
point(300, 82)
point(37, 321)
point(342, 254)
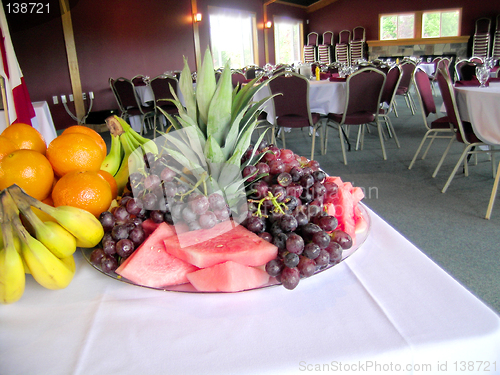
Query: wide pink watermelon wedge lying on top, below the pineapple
point(237, 244)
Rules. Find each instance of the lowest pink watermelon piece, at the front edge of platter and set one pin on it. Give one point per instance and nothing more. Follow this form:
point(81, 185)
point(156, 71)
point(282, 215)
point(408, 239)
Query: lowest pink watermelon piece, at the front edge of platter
point(228, 277)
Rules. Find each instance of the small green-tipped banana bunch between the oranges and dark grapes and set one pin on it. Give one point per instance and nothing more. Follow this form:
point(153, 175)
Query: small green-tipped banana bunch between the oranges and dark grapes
point(127, 146)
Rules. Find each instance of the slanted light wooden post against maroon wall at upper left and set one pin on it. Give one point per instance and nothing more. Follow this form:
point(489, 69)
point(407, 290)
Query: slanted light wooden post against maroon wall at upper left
point(74, 70)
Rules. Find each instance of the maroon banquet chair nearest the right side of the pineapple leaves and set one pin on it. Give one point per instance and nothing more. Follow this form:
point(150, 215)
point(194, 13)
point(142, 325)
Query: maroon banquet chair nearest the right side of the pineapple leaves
point(291, 107)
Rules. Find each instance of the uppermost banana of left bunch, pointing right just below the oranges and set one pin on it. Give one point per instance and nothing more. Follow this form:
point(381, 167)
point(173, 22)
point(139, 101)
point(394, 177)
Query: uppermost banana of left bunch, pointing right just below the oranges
point(84, 226)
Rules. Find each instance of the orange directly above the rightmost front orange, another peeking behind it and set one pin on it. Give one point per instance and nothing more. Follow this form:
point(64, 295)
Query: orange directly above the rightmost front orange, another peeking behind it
point(74, 151)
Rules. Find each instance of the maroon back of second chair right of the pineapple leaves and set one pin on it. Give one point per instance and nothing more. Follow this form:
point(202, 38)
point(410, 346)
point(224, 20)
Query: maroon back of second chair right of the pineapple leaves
point(364, 90)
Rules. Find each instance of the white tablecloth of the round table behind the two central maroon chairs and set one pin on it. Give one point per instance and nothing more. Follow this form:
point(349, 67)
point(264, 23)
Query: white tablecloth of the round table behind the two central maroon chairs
point(324, 97)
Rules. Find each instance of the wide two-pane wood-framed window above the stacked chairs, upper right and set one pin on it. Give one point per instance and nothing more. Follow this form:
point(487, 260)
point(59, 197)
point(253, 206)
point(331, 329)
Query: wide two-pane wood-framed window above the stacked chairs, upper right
point(426, 24)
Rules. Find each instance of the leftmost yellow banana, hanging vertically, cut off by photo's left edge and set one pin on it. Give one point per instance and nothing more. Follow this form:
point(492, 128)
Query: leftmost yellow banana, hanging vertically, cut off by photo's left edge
point(12, 276)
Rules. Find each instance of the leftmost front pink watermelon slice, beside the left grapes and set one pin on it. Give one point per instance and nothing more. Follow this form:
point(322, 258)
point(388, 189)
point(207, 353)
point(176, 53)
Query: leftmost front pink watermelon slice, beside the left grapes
point(150, 265)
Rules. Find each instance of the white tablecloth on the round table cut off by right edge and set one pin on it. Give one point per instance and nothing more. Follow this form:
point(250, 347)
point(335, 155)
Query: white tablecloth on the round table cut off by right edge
point(481, 107)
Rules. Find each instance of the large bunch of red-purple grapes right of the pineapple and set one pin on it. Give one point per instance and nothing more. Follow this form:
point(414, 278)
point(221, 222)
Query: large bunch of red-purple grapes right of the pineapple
point(287, 208)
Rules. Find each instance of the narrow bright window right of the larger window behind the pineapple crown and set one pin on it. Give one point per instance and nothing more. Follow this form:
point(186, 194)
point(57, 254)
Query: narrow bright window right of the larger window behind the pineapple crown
point(287, 40)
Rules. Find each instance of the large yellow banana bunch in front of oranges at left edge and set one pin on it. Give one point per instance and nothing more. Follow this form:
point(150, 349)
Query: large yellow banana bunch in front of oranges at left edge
point(46, 251)
